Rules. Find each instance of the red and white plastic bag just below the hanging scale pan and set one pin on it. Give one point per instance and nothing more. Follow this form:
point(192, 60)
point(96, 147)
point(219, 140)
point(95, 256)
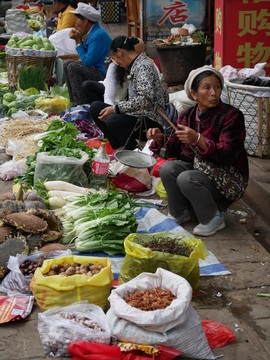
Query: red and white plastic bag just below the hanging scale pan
point(133, 179)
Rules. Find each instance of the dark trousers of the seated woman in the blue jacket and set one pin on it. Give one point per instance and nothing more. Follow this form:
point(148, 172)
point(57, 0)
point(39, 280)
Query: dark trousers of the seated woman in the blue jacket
point(75, 74)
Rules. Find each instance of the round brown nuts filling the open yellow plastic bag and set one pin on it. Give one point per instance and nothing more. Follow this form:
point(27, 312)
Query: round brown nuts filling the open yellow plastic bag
point(68, 269)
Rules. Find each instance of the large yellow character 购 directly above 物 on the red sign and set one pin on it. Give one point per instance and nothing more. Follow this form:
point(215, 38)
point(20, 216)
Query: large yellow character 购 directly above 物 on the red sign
point(251, 22)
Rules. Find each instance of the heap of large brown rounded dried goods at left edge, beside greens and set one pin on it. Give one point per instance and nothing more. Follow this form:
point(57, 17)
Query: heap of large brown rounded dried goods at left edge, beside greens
point(25, 225)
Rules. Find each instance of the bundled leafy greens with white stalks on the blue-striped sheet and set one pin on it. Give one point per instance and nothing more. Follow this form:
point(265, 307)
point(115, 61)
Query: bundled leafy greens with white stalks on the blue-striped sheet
point(98, 222)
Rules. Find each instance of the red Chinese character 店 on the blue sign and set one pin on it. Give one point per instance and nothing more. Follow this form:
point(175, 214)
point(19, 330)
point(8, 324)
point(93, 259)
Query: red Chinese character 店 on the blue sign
point(175, 12)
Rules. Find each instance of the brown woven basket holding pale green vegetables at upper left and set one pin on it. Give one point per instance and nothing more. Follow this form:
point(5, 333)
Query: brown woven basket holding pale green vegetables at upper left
point(14, 63)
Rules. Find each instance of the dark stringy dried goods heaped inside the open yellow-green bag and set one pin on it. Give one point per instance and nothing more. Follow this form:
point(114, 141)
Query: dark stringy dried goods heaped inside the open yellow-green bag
point(168, 245)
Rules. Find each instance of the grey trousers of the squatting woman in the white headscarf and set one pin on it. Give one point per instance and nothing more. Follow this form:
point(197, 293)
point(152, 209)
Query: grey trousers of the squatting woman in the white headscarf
point(189, 189)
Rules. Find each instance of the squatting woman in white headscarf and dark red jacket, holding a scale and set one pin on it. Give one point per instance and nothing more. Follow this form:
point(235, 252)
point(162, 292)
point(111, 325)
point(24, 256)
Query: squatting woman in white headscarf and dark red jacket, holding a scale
point(216, 131)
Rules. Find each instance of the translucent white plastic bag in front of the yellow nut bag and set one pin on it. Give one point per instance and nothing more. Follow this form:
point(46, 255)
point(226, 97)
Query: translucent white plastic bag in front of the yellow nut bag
point(60, 326)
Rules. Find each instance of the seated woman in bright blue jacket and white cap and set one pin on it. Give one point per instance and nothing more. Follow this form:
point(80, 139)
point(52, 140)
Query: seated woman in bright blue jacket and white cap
point(92, 52)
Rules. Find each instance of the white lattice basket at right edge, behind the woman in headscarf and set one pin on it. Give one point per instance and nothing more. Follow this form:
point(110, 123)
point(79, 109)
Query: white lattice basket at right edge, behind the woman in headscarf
point(254, 102)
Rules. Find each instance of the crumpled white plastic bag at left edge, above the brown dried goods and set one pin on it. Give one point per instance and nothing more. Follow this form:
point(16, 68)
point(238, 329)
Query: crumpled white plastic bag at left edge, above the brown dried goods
point(12, 168)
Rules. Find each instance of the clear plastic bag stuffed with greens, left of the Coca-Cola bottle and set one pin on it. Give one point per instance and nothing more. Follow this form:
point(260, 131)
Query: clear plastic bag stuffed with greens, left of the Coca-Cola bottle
point(69, 169)
